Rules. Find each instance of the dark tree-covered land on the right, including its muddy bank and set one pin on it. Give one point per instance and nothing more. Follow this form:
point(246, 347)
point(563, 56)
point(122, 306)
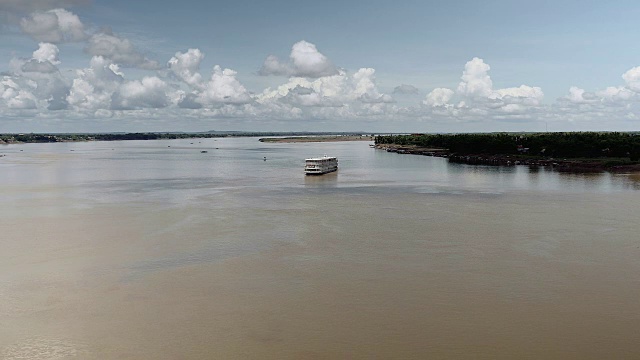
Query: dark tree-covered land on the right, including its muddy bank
point(579, 152)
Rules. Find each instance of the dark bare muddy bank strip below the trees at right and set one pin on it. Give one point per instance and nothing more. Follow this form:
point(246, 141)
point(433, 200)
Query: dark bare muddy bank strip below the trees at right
point(581, 165)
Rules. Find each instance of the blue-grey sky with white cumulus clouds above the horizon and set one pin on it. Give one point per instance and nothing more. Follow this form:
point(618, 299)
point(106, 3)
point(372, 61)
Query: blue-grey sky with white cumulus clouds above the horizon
point(284, 65)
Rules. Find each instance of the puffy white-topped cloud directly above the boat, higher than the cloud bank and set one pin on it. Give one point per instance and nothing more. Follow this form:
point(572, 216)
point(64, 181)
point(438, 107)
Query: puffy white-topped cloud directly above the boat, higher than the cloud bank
point(304, 61)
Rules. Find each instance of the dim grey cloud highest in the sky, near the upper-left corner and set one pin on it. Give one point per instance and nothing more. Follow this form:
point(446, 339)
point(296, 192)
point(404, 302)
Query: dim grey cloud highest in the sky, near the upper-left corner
point(54, 26)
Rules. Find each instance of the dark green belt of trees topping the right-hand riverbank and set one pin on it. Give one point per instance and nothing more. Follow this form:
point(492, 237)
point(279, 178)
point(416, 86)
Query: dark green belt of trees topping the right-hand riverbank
point(592, 145)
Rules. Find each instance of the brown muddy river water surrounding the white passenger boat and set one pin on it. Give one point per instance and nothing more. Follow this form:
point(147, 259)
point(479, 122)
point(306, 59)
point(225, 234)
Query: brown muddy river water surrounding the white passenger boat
point(138, 250)
